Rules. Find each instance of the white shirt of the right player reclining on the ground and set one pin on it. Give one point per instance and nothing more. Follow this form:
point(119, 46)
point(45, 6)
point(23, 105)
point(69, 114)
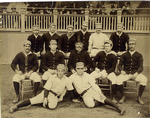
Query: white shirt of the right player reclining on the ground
point(81, 83)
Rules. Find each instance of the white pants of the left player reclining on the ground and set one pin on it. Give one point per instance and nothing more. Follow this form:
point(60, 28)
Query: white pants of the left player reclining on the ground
point(52, 100)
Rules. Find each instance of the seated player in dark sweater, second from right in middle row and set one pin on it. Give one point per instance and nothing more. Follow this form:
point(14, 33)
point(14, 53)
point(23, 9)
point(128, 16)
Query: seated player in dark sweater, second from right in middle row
point(104, 64)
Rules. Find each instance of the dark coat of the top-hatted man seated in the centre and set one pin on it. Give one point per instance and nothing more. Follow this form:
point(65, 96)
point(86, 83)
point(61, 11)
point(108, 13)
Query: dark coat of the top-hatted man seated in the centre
point(75, 57)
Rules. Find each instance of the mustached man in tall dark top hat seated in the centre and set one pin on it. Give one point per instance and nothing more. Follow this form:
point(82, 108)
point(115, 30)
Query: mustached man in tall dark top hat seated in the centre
point(79, 55)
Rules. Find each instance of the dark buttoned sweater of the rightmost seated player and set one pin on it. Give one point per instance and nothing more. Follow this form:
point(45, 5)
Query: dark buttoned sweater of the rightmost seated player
point(132, 64)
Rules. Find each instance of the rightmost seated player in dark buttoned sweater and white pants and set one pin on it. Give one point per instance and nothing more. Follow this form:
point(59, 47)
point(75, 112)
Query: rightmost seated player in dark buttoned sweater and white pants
point(131, 66)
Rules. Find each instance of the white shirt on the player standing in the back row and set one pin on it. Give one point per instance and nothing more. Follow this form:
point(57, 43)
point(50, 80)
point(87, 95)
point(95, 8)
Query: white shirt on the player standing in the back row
point(97, 41)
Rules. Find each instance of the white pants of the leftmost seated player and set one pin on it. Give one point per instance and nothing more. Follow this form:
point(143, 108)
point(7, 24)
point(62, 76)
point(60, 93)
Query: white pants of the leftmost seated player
point(34, 76)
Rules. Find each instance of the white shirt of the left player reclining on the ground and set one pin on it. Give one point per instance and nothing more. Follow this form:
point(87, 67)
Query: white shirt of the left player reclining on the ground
point(56, 85)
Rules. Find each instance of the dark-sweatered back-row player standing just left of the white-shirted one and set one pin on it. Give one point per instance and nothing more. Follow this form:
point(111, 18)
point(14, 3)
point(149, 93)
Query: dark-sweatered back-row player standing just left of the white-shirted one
point(84, 35)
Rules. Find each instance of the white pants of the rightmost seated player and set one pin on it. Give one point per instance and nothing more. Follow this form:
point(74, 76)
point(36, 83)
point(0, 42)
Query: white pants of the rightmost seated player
point(140, 78)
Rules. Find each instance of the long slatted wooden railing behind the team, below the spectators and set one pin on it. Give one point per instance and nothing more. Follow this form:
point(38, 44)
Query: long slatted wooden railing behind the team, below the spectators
point(23, 22)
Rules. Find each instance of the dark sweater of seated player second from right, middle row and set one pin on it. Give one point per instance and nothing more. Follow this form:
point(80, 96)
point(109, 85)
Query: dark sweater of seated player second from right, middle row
point(107, 62)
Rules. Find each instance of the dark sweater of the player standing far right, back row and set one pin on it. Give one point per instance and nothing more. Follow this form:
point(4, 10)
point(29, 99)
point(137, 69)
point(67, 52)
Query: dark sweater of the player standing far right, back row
point(119, 43)
